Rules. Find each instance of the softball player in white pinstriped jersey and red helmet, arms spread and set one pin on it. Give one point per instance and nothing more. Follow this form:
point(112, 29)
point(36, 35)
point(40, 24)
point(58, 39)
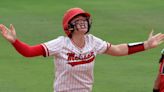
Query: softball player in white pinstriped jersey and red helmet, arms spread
point(75, 53)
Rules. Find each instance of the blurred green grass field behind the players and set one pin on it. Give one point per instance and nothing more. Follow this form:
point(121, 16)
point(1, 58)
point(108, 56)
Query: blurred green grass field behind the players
point(116, 21)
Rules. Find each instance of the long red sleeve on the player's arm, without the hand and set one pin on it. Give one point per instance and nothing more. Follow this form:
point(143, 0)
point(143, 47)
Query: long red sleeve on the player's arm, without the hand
point(29, 51)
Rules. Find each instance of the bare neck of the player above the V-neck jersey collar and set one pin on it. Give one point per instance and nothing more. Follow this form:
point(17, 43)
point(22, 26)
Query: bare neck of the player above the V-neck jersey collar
point(78, 40)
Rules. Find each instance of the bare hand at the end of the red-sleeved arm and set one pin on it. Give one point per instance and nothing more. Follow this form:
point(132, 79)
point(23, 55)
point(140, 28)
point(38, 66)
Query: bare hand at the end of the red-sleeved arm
point(8, 34)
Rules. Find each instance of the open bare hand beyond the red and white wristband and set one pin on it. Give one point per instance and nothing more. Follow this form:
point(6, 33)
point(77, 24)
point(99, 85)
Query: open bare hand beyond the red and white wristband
point(154, 40)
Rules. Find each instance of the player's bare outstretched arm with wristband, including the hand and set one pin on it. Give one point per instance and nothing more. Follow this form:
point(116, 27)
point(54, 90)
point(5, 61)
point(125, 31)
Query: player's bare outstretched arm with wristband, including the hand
point(126, 49)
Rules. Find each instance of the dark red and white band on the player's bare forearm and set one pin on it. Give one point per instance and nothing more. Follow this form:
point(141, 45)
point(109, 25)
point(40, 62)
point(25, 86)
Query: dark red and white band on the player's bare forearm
point(135, 47)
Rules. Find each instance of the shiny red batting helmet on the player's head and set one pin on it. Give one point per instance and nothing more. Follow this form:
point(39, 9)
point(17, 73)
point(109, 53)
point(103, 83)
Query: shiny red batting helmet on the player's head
point(69, 15)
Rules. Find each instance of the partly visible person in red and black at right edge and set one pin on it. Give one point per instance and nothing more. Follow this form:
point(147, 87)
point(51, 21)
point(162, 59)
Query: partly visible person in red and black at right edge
point(159, 82)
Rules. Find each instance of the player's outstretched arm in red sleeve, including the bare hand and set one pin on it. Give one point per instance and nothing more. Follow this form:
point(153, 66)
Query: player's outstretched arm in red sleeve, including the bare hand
point(23, 48)
